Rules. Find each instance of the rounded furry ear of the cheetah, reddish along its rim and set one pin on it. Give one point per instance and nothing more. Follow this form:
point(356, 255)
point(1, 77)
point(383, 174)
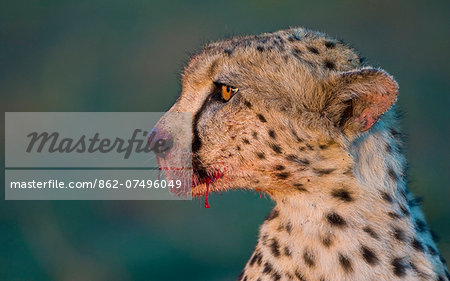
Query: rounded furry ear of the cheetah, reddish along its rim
point(363, 96)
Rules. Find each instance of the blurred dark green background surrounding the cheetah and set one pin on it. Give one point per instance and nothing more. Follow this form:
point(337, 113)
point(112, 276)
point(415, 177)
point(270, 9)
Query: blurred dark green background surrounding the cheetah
point(127, 56)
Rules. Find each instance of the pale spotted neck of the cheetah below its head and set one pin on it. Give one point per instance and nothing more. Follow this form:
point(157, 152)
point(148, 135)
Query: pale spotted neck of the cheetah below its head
point(359, 227)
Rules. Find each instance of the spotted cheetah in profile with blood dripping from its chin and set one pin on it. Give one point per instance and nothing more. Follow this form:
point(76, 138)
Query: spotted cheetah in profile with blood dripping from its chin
point(298, 115)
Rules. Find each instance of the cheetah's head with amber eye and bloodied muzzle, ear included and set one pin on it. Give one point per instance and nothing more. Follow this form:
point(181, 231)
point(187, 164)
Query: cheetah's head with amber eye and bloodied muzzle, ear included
point(265, 107)
